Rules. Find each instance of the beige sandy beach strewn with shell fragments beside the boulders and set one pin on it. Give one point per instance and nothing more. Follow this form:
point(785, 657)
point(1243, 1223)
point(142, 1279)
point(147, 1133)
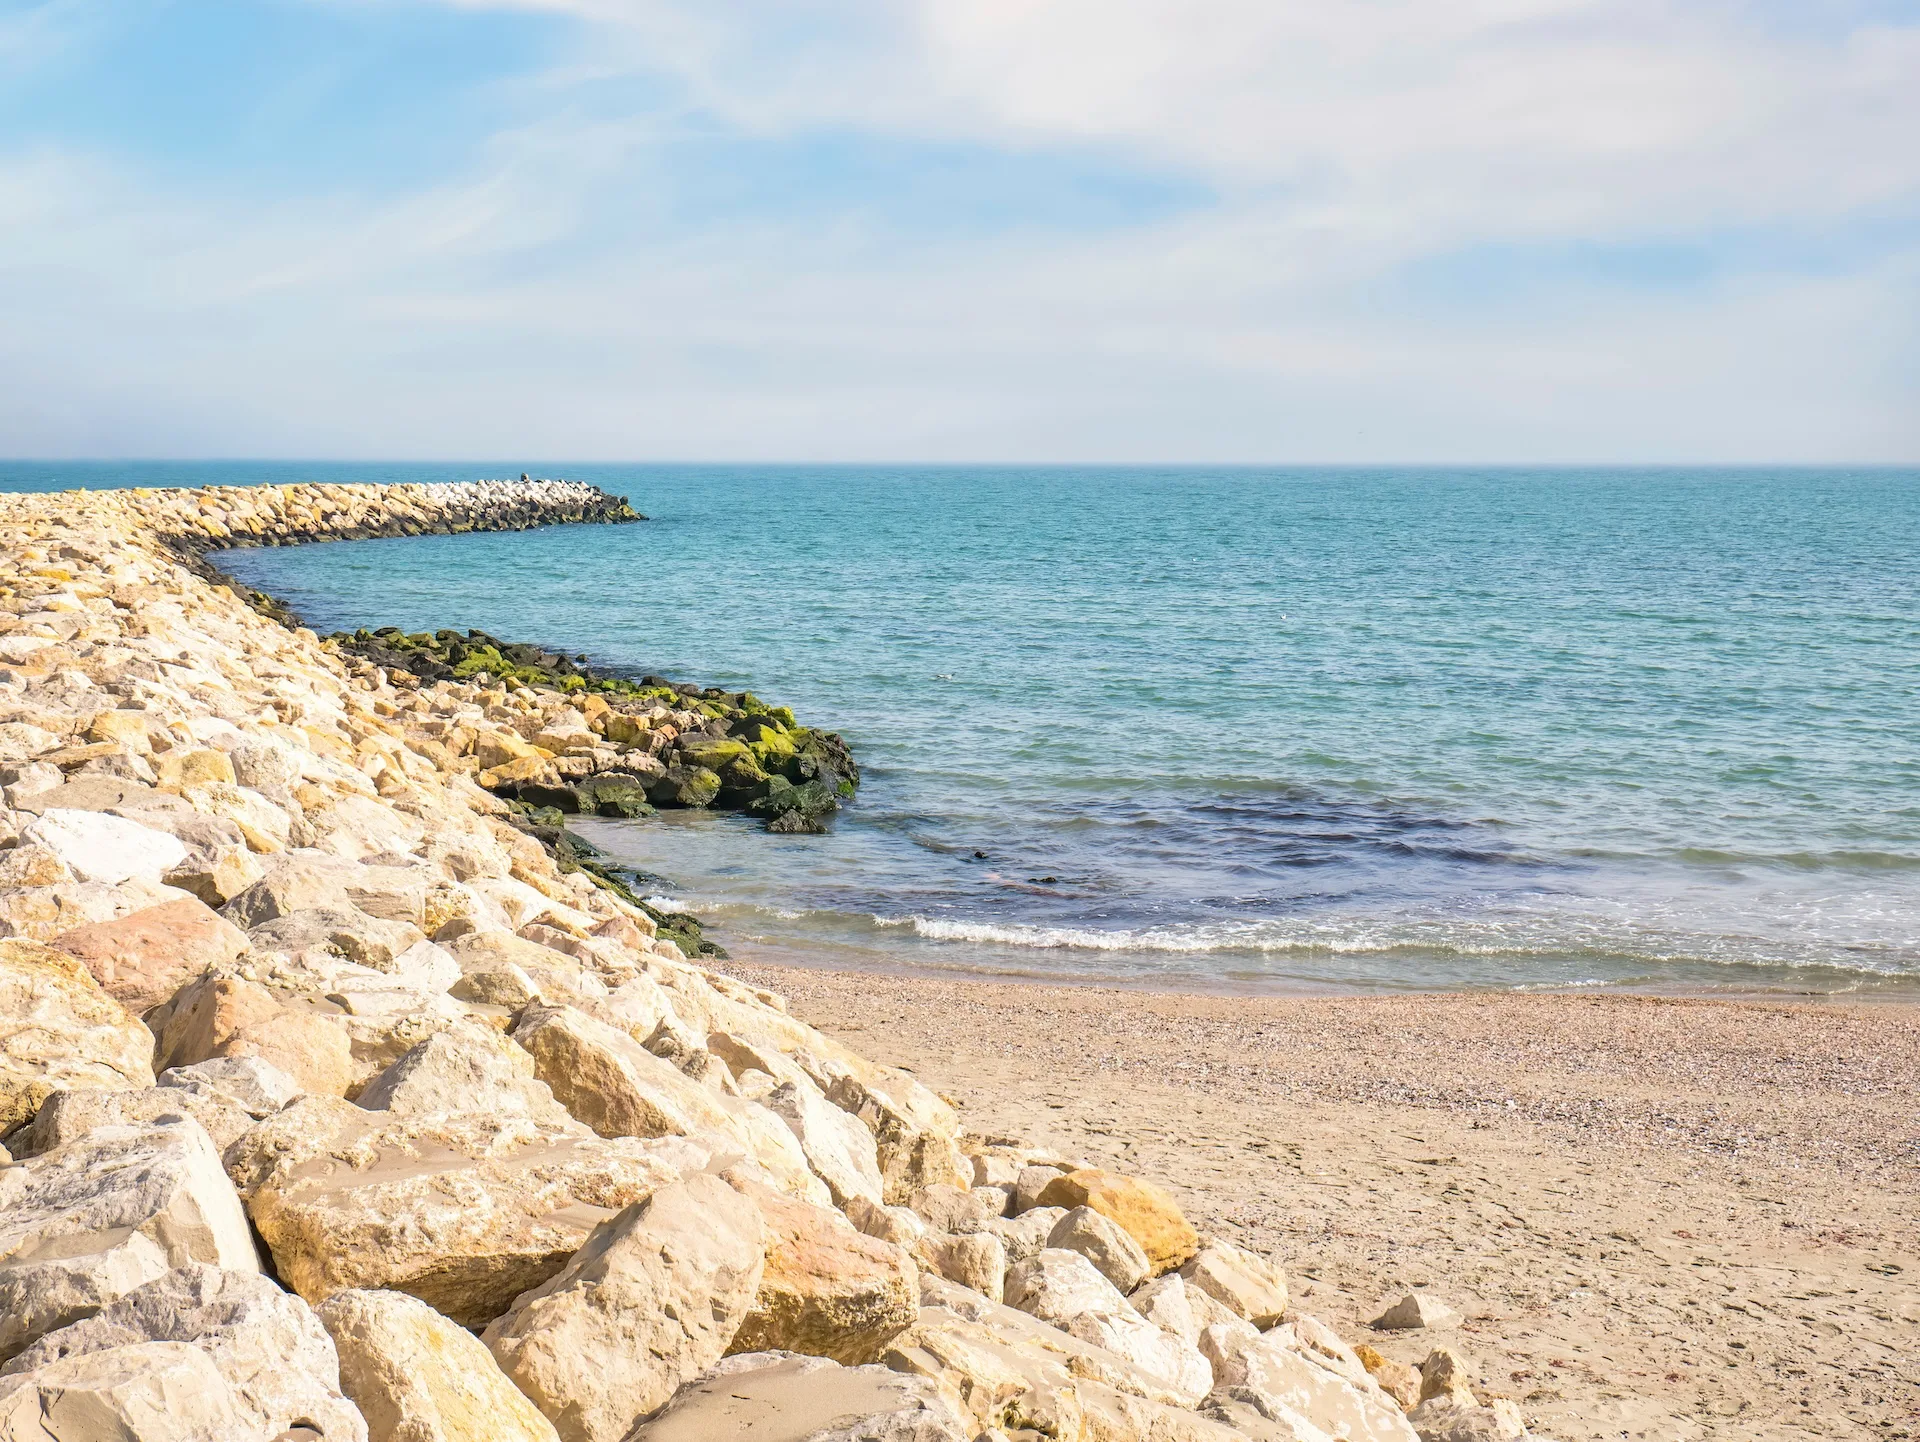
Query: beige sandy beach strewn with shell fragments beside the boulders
point(1656, 1218)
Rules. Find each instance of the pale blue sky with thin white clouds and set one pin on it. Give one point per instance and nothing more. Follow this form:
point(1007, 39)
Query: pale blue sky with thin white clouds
point(1101, 231)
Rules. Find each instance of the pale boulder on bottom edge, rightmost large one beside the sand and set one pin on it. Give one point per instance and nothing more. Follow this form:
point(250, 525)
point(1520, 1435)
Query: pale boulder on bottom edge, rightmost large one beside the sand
point(1287, 1382)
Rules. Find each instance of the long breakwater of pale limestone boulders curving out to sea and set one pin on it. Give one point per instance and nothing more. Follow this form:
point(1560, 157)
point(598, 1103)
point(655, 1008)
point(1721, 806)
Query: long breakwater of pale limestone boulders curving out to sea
point(337, 1109)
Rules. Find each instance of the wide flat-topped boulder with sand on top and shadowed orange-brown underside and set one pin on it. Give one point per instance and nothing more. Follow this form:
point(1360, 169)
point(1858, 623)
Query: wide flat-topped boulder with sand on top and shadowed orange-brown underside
point(464, 1213)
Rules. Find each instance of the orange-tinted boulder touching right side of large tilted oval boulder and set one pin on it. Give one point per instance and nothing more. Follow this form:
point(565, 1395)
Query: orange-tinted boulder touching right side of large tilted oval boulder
point(827, 1289)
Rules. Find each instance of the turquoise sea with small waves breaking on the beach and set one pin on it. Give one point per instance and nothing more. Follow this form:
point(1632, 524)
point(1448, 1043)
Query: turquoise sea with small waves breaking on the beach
point(1253, 729)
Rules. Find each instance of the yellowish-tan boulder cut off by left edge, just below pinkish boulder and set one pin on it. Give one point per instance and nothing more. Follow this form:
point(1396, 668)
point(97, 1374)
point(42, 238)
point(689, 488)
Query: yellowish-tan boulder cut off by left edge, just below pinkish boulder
point(60, 1030)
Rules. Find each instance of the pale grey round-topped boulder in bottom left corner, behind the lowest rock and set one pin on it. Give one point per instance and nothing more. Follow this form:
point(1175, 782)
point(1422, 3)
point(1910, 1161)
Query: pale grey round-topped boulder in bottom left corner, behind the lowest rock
point(272, 1362)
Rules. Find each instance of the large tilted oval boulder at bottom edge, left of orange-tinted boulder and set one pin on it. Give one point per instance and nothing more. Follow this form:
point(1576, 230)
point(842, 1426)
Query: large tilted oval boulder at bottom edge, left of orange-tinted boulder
point(648, 1303)
